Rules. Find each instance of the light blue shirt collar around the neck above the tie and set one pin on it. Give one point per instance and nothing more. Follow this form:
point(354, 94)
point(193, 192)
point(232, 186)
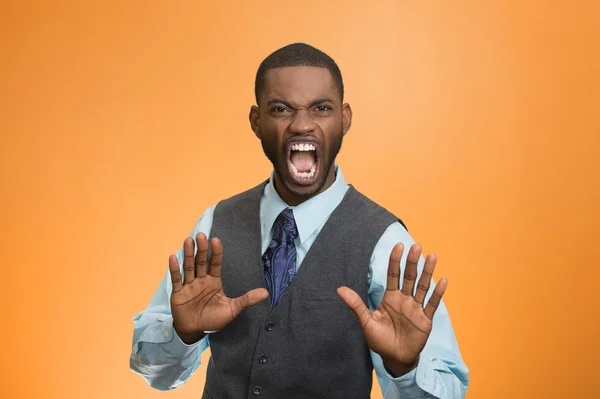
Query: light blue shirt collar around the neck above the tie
point(308, 215)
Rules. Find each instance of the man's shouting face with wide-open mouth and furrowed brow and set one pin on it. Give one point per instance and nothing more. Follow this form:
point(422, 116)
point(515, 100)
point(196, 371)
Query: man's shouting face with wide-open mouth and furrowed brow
point(300, 122)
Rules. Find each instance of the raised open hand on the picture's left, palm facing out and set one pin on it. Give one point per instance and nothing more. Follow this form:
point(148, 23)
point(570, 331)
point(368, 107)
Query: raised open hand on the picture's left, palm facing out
point(198, 303)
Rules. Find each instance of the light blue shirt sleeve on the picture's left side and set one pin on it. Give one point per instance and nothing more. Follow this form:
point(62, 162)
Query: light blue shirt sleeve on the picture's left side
point(158, 354)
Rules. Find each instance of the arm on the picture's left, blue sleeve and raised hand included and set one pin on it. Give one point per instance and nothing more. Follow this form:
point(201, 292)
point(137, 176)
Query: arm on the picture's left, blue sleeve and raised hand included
point(191, 303)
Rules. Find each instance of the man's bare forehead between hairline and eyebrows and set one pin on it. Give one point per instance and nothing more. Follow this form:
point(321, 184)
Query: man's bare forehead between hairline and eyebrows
point(301, 84)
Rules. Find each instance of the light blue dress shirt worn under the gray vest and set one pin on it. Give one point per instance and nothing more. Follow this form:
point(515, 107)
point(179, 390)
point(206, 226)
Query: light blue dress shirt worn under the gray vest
point(165, 362)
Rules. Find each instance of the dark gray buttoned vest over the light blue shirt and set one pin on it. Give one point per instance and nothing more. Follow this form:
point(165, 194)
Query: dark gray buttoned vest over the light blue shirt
point(310, 344)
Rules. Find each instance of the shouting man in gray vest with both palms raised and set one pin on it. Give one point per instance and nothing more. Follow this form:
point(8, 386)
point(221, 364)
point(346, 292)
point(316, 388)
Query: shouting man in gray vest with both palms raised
point(299, 291)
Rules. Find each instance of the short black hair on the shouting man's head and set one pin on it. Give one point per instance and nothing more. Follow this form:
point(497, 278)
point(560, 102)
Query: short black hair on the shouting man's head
point(298, 54)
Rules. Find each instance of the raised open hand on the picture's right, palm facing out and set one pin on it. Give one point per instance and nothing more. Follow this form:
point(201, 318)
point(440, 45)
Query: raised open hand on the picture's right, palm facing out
point(398, 329)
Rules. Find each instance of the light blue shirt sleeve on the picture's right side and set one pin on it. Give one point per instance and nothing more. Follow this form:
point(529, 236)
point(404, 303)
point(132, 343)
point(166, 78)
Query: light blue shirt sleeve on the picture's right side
point(441, 372)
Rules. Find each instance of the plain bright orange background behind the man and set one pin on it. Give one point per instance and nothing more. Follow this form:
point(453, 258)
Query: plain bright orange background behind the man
point(475, 121)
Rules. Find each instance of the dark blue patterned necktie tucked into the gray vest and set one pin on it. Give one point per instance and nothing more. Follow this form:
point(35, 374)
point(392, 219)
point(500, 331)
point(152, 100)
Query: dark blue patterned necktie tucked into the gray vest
point(279, 260)
